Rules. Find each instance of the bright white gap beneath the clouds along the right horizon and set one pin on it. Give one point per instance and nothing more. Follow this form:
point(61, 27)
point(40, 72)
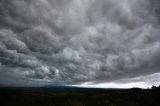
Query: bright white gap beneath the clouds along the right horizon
point(140, 82)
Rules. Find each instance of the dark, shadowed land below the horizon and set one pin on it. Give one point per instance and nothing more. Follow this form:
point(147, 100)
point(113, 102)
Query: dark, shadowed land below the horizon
point(79, 97)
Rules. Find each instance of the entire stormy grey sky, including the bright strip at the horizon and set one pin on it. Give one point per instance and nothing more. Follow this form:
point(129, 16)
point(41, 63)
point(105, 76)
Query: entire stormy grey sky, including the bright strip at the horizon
point(88, 43)
